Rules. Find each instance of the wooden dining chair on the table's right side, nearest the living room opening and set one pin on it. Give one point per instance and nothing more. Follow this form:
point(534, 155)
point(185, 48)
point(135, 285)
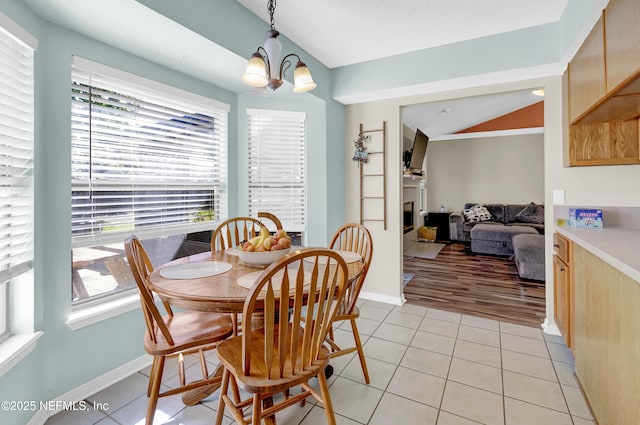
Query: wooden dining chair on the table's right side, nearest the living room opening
point(355, 238)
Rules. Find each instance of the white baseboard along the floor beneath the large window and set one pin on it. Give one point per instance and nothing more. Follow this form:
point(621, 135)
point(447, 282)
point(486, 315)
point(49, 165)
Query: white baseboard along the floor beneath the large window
point(94, 386)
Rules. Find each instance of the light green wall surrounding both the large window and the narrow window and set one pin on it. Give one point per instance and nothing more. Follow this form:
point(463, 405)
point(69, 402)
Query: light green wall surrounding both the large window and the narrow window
point(64, 359)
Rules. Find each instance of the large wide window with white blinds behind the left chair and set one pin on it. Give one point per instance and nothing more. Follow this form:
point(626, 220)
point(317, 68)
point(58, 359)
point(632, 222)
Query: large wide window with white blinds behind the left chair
point(146, 159)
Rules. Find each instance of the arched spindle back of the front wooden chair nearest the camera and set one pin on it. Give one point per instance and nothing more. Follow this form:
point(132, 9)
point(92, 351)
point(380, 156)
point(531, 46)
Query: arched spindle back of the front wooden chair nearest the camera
point(314, 278)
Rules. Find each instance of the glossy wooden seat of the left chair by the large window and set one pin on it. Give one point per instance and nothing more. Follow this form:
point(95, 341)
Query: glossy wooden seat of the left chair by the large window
point(190, 329)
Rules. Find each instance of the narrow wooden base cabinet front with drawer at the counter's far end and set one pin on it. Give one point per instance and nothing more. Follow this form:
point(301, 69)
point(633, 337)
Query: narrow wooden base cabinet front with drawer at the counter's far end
point(562, 288)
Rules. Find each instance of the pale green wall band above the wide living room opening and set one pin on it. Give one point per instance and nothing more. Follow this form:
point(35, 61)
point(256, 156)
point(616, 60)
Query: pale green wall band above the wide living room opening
point(525, 48)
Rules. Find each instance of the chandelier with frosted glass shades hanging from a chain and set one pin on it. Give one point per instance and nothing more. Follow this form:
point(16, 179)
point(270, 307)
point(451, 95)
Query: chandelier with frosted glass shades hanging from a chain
point(265, 69)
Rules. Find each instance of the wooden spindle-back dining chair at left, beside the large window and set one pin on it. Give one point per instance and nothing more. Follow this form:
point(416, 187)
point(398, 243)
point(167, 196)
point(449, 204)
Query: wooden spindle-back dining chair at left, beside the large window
point(174, 334)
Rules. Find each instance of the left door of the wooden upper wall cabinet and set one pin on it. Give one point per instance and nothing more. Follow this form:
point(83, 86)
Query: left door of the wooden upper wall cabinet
point(587, 73)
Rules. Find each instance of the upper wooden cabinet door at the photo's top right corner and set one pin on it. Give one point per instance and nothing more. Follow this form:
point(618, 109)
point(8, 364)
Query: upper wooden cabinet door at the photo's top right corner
point(622, 41)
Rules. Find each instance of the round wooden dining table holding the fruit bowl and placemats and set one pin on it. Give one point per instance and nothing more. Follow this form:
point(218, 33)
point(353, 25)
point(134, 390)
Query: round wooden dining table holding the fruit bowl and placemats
point(220, 292)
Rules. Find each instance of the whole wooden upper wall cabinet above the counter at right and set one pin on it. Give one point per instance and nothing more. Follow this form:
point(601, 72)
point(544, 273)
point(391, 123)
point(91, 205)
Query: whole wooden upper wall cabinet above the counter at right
point(604, 90)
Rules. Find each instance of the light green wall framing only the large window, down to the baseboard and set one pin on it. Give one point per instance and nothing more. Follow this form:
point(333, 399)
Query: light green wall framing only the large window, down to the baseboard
point(64, 359)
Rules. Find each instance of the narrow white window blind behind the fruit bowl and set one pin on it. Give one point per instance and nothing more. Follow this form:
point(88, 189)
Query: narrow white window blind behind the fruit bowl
point(277, 166)
